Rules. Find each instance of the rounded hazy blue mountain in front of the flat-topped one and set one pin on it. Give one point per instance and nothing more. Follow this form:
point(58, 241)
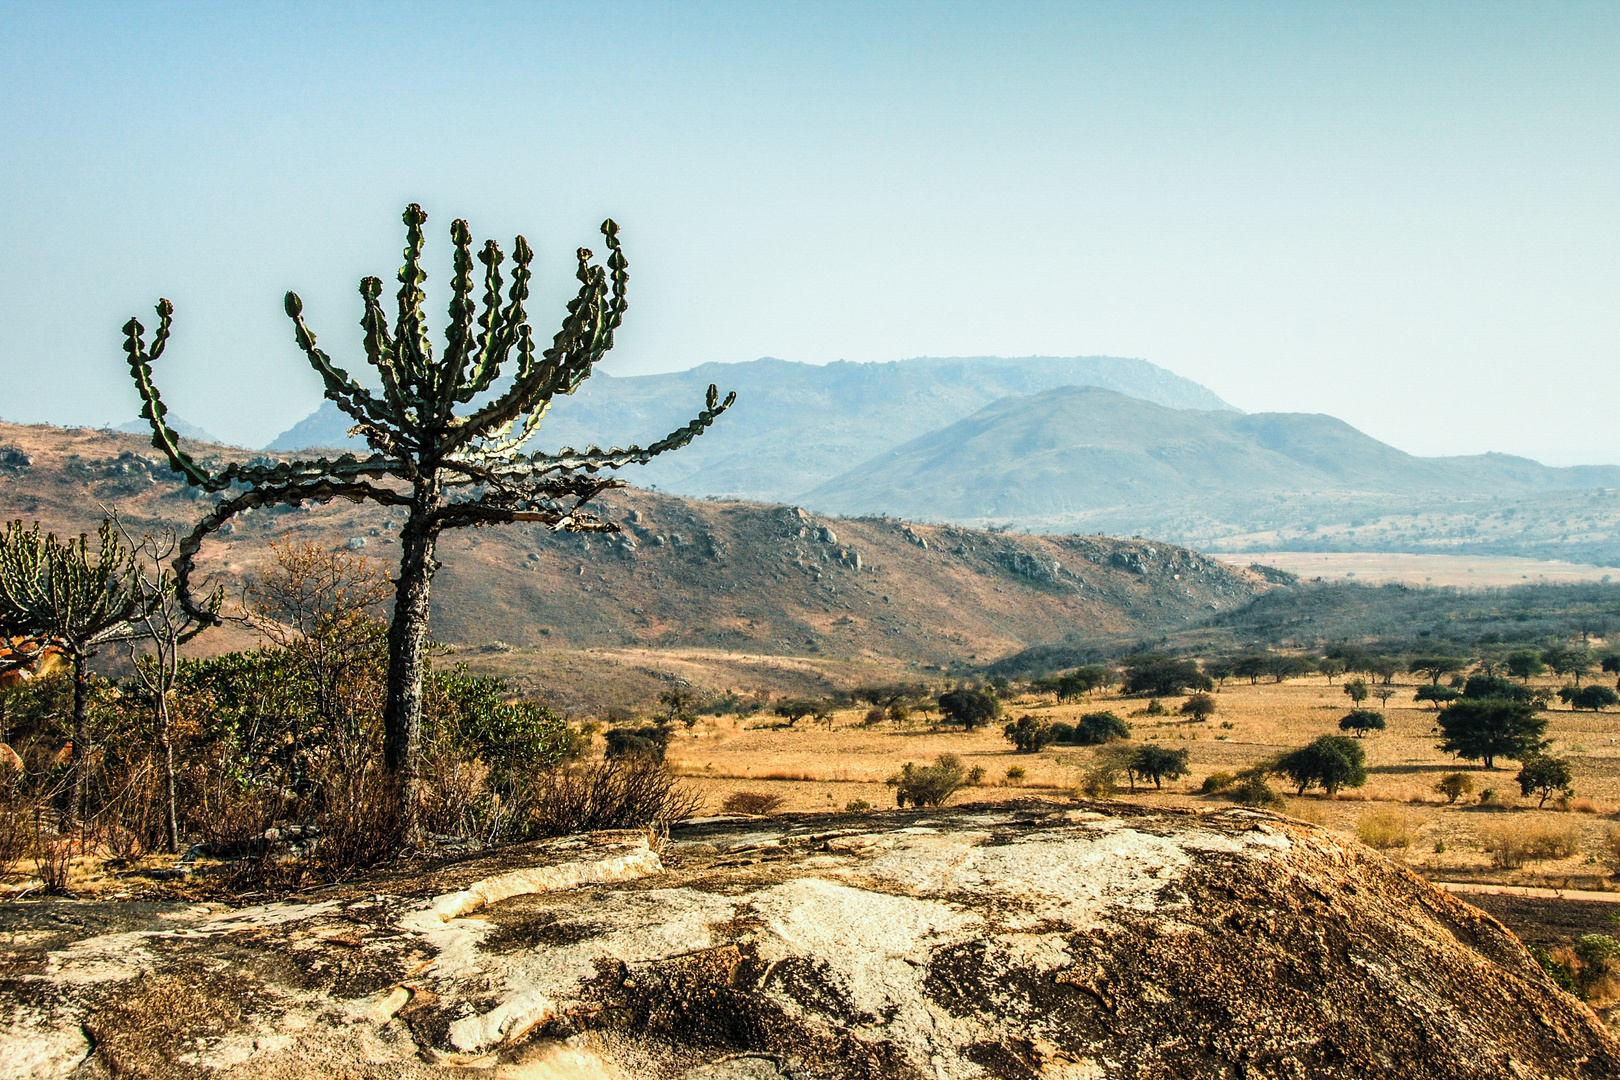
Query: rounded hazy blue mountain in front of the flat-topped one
point(1093, 461)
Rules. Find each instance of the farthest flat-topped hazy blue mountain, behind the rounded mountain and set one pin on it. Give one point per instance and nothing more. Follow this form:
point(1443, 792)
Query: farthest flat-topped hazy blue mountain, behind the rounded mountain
point(801, 425)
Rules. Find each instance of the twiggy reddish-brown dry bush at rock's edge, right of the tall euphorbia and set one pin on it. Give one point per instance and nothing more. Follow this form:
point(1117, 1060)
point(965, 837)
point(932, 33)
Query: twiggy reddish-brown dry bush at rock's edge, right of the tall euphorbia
point(613, 794)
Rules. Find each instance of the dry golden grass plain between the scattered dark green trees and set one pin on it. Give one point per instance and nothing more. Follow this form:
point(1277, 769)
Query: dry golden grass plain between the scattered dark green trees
point(825, 770)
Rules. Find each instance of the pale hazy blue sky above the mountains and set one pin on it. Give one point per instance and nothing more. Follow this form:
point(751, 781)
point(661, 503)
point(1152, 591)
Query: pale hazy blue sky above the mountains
point(1405, 216)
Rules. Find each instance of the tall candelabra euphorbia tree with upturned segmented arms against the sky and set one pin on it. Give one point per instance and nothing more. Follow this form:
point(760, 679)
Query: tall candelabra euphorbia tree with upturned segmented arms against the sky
point(446, 469)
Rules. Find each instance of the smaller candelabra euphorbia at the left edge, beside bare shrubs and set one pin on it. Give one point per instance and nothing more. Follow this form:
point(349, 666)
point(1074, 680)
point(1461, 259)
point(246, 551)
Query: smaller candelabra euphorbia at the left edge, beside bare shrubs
point(58, 592)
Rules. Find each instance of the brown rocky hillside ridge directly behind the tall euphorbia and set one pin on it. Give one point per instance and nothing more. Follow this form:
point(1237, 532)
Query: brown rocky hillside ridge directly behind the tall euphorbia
point(727, 576)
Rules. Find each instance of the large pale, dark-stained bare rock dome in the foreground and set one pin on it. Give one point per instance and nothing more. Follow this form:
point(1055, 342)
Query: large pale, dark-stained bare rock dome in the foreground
point(1021, 940)
